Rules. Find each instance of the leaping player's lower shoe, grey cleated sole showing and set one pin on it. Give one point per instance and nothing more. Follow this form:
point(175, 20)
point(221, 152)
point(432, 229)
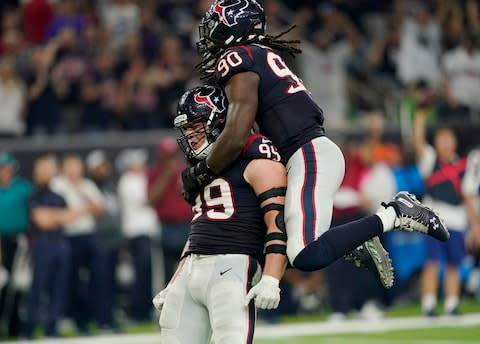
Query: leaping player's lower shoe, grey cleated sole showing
point(375, 258)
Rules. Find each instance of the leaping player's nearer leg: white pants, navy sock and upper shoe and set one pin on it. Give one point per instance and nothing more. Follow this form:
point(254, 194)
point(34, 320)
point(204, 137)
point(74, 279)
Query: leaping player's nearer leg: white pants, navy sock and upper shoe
point(310, 198)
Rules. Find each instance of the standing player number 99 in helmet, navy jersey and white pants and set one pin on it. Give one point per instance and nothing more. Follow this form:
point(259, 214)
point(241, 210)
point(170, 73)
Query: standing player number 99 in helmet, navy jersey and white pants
point(237, 223)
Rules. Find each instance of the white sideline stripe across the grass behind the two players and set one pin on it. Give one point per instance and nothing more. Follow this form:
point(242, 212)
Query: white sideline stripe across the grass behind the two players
point(305, 329)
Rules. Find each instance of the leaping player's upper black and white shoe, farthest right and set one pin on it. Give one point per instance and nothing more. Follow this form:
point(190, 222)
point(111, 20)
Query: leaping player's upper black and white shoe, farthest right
point(412, 215)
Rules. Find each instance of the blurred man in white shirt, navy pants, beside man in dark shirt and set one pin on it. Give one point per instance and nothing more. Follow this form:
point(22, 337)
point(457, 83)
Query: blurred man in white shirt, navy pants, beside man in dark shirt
point(81, 194)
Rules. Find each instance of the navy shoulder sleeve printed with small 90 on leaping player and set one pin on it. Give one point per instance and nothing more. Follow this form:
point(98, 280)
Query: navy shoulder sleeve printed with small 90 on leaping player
point(239, 59)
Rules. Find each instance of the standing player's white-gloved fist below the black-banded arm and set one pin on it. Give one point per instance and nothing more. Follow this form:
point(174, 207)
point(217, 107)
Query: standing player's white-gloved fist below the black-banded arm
point(266, 293)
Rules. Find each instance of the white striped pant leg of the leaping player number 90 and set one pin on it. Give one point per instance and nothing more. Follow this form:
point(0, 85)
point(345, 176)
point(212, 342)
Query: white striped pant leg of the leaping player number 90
point(315, 173)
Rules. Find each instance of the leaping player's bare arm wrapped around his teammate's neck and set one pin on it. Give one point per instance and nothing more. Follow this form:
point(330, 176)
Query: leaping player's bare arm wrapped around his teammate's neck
point(242, 96)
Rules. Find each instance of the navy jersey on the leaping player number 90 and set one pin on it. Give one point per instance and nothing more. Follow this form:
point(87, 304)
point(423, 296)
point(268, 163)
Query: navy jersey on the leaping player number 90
point(286, 112)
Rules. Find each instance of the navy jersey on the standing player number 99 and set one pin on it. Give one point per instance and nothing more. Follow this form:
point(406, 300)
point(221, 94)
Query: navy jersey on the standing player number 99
point(227, 217)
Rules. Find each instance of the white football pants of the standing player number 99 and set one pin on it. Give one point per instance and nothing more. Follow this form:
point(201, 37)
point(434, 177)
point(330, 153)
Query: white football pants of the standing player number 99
point(209, 296)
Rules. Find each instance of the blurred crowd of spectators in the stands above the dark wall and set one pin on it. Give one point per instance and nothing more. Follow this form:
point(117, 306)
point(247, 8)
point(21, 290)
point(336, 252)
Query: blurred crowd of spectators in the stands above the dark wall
point(83, 65)
